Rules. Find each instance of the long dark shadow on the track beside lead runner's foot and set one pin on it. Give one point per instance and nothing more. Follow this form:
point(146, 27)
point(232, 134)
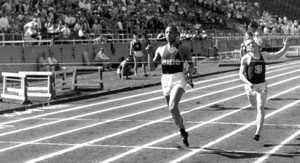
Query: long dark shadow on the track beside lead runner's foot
point(239, 154)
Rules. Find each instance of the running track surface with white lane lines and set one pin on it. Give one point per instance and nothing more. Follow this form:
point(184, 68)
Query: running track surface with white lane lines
point(136, 126)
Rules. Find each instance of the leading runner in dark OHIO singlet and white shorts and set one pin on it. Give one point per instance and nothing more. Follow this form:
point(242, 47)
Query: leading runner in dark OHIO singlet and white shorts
point(172, 57)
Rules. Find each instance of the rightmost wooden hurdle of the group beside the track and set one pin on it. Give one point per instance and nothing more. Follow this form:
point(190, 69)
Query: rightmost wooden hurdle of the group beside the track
point(78, 69)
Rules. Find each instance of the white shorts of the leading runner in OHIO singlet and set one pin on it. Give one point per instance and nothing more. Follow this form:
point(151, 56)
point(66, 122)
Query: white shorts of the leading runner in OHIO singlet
point(170, 81)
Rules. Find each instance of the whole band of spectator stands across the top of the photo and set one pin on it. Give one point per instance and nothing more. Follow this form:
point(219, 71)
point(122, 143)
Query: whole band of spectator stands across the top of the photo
point(65, 19)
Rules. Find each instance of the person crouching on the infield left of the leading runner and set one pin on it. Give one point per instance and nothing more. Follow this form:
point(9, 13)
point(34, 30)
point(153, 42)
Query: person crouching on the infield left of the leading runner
point(124, 69)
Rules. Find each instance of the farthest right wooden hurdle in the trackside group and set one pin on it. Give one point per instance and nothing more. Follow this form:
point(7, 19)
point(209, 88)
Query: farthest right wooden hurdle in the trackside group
point(97, 83)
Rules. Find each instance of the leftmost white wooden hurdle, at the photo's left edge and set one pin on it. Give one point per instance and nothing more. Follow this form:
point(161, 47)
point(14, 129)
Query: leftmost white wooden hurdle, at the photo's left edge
point(14, 87)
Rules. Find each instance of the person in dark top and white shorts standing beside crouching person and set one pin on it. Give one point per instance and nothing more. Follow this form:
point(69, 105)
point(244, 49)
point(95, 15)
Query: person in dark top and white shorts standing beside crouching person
point(136, 50)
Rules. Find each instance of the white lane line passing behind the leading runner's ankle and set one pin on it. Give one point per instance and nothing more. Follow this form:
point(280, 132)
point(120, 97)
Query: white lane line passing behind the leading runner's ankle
point(191, 128)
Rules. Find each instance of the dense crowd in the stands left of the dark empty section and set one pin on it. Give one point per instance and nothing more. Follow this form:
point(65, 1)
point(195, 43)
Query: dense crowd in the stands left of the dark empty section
point(80, 18)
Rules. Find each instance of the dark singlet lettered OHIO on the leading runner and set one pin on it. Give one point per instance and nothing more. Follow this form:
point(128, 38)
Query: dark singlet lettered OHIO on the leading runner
point(171, 62)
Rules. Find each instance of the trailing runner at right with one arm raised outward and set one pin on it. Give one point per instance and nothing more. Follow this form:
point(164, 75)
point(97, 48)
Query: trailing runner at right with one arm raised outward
point(252, 74)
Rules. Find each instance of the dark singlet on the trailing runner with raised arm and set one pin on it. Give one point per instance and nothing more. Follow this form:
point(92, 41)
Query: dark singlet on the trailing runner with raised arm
point(255, 71)
